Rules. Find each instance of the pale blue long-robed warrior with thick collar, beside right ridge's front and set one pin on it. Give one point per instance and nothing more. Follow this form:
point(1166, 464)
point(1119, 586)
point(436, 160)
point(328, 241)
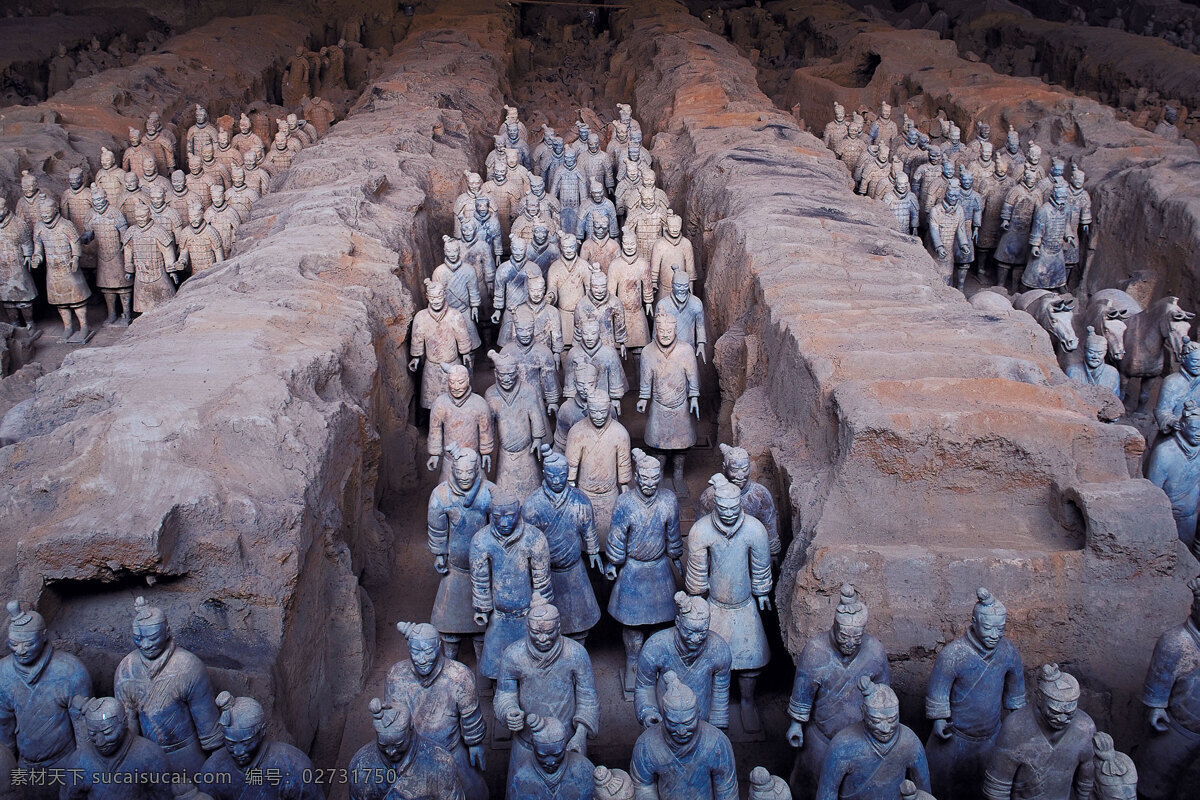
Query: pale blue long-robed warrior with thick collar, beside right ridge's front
point(729, 562)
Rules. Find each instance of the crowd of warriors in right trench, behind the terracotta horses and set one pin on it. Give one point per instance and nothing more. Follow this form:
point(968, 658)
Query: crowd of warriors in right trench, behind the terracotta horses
point(977, 204)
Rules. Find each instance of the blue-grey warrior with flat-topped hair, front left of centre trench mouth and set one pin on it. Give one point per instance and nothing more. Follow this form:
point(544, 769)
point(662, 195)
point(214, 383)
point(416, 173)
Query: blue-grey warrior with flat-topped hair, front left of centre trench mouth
point(442, 699)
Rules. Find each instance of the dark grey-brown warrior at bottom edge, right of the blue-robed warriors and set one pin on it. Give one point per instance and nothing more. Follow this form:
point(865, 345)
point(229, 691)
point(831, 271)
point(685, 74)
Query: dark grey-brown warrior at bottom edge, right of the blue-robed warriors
point(1045, 749)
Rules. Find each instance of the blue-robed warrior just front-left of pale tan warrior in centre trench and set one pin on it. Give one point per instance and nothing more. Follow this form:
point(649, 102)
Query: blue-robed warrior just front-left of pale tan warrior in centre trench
point(565, 515)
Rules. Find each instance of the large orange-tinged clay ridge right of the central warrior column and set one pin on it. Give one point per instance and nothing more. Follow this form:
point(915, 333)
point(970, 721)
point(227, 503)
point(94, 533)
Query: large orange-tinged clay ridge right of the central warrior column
point(926, 449)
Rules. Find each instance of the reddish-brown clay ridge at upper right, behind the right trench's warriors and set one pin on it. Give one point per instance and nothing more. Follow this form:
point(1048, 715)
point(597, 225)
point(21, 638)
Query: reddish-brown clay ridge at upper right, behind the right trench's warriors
point(1145, 188)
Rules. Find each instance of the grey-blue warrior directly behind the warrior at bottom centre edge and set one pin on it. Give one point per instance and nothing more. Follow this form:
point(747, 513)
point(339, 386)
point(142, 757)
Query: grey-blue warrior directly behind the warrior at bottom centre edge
point(547, 675)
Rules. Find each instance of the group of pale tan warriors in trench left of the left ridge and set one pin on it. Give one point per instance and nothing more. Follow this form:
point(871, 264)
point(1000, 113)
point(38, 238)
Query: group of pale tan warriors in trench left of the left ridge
point(140, 230)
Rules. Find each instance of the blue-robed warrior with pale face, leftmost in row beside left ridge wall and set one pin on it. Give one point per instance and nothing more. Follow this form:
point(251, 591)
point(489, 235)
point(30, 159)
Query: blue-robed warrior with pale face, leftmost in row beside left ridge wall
point(457, 510)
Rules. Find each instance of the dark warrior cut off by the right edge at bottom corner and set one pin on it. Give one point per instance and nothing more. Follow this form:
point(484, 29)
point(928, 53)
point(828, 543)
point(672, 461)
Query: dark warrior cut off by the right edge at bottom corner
point(1172, 697)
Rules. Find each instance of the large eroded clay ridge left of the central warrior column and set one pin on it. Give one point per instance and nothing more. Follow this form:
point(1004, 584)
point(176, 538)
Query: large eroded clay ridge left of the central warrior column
point(226, 449)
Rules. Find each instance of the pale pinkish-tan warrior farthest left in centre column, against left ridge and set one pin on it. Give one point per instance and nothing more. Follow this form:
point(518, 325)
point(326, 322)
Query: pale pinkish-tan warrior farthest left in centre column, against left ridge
point(440, 336)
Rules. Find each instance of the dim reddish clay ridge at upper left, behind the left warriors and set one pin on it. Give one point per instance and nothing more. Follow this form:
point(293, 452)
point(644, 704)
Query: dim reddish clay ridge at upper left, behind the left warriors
point(224, 65)
